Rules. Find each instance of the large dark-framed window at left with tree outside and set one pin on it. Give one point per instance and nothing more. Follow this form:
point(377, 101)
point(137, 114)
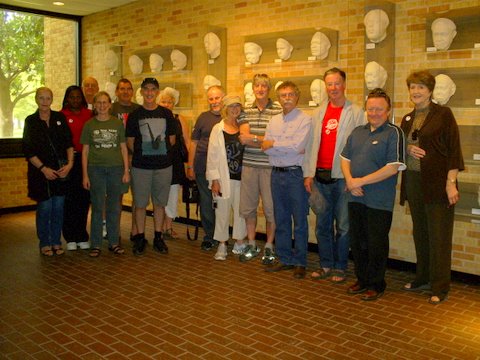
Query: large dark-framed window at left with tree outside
point(35, 49)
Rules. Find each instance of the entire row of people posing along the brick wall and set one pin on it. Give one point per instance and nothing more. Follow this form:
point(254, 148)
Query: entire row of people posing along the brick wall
point(344, 159)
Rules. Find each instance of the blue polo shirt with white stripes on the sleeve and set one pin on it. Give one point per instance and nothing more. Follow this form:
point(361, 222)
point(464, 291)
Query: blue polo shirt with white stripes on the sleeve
point(369, 151)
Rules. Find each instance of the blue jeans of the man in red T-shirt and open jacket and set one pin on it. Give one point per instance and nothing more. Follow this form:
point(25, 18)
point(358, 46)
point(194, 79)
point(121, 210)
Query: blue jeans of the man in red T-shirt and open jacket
point(333, 244)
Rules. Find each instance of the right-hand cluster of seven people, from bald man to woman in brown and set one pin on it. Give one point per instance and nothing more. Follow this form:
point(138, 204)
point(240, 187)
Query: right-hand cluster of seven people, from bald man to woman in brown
point(345, 157)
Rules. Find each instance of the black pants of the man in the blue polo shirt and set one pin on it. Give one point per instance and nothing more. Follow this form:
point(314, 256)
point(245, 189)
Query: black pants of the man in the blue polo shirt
point(369, 242)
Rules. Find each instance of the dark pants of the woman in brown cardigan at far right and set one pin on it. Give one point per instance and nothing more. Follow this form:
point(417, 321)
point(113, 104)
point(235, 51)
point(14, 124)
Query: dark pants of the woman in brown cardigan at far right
point(432, 234)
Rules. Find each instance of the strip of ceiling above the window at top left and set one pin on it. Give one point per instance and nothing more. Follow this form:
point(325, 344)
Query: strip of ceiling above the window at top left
point(71, 7)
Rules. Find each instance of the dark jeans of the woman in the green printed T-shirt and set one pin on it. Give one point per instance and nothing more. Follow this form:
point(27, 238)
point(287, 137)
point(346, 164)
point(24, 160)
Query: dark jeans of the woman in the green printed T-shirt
point(105, 191)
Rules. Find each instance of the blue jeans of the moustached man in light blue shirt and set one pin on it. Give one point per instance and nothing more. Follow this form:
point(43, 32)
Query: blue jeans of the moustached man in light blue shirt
point(290, 201)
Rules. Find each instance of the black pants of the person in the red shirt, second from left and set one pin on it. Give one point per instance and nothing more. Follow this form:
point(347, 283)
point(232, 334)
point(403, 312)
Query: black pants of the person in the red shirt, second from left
point(77, 203)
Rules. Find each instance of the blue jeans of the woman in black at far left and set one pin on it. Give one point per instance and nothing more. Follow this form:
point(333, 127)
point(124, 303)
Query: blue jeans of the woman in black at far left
point(49, 219)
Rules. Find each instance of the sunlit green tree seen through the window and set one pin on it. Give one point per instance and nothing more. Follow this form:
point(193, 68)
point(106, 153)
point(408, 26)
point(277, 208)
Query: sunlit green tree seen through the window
point(21, 62)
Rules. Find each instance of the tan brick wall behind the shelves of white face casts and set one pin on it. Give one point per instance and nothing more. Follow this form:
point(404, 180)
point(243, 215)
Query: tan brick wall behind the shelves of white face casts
point(143, 25)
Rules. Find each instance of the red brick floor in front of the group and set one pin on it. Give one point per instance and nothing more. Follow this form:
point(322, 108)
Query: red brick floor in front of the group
point(186, 305)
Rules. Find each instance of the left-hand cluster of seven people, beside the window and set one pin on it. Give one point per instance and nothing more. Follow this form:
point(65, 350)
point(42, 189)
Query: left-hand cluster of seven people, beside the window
point(79, 156)
